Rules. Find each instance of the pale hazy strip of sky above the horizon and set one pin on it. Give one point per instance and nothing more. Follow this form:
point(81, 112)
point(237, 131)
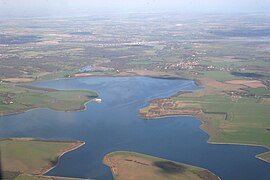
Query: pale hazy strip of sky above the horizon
point(25, 7)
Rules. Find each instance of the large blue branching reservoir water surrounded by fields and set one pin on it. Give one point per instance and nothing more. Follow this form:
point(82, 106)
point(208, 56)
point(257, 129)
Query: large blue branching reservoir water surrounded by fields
point(114, 125)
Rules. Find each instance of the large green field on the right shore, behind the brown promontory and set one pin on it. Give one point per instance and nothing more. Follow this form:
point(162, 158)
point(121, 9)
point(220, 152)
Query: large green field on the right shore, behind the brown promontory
point(247, 119)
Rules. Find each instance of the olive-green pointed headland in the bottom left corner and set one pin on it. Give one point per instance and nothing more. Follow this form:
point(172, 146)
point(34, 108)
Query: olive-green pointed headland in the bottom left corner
point(23, 158)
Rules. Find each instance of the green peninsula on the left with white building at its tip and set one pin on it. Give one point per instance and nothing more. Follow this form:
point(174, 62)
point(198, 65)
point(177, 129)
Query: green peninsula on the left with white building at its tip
point(18, 99)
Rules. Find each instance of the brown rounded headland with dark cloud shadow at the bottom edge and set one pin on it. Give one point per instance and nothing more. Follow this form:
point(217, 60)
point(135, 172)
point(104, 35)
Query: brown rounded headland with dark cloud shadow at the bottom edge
point(133, 166)
